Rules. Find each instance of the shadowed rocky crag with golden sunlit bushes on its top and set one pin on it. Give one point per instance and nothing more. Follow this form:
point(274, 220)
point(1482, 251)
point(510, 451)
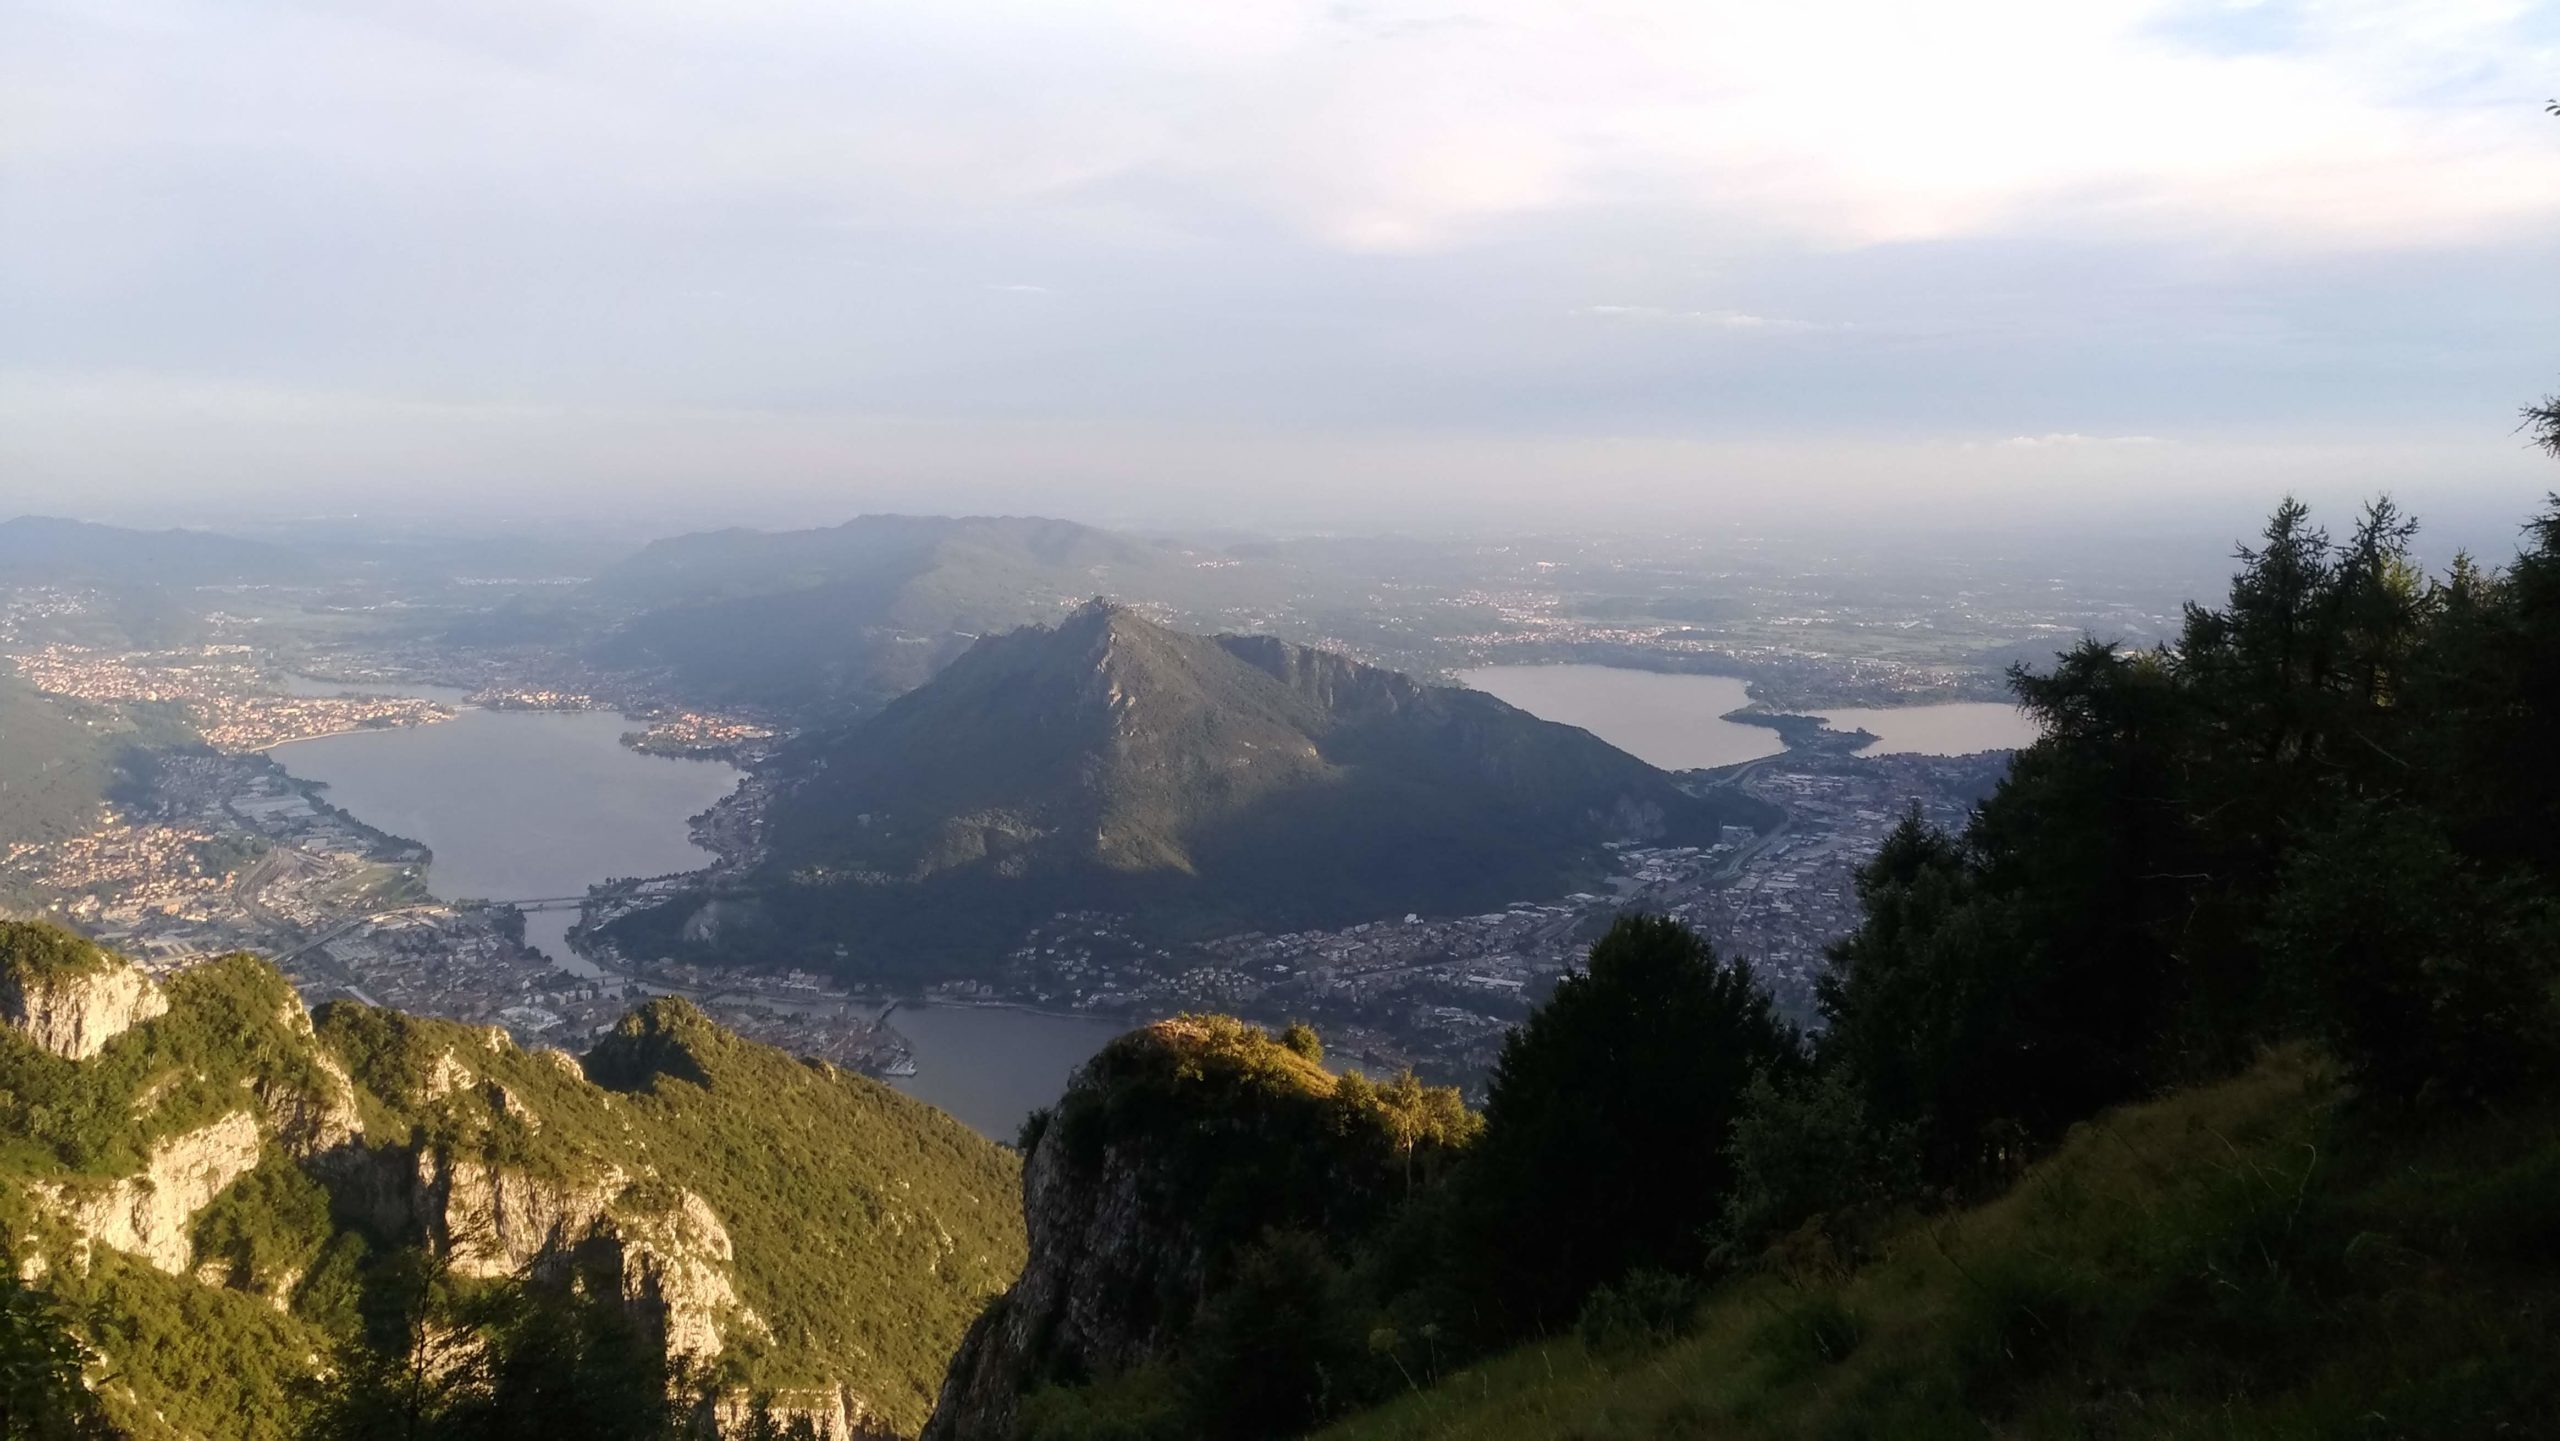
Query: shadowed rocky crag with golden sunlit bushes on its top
point(1187, 1166)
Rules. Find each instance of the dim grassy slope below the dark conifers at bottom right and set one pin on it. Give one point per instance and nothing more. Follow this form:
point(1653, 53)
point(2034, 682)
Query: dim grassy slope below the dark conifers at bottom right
point(2236, 1261)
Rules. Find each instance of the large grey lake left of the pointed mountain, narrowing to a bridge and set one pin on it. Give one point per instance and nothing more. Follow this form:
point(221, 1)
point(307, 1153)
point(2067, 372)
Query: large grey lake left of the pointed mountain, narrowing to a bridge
point(521, 805)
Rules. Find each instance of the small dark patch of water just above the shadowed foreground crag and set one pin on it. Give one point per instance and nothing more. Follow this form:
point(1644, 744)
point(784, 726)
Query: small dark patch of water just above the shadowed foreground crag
point(992, 1066)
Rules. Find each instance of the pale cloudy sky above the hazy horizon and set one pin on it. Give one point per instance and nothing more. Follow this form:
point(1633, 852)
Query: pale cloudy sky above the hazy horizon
point(1274, 265)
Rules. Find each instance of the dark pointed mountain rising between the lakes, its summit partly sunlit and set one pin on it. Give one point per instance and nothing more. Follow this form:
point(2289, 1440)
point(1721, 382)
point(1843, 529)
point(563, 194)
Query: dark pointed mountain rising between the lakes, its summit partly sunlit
point(1197, 782)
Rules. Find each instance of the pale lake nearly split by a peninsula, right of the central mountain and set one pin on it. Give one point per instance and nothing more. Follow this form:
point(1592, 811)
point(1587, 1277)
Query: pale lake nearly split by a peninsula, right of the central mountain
point(1678, 720)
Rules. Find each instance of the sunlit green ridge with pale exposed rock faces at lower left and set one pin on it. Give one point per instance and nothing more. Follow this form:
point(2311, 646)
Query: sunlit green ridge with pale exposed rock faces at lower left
point(211, 1179)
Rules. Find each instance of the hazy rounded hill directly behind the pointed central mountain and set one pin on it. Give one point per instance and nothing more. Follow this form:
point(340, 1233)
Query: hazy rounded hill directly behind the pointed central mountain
point(864, 610)
